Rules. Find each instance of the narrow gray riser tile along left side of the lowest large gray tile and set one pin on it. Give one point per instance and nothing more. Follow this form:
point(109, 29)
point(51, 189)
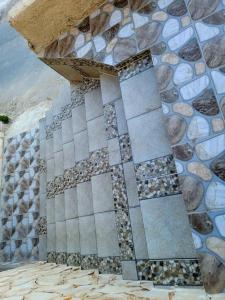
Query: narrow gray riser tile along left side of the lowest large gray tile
point(140, 245)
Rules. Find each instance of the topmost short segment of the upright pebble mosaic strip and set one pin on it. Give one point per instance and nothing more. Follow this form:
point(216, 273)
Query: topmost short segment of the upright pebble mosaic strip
point(110, 121)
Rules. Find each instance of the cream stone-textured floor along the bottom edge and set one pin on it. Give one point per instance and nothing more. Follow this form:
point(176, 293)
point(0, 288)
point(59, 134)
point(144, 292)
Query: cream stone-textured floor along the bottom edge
point(45, 281)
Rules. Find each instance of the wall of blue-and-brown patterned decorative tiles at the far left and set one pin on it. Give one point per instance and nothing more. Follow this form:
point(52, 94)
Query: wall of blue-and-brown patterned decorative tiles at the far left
point(20, 198)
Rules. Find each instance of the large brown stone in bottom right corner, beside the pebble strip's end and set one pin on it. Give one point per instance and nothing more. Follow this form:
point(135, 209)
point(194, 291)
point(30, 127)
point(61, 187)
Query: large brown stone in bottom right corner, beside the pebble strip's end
point(213, 273)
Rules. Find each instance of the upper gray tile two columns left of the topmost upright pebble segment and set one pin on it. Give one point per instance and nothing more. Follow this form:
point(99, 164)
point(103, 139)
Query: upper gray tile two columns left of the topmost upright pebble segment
point(79, 118)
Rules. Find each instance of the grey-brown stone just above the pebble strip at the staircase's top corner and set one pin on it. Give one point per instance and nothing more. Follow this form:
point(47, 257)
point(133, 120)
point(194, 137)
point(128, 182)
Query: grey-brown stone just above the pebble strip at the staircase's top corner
point(148, 34)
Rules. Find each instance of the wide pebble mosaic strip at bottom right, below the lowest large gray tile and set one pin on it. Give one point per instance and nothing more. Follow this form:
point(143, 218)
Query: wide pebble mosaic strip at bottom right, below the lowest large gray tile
point(170, 272)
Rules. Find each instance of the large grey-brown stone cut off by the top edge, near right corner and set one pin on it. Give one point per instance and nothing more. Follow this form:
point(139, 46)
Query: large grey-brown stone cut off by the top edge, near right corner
point(202, 8)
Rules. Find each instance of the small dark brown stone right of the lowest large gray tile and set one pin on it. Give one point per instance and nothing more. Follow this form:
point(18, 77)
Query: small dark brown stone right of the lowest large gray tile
point(201, 222)
